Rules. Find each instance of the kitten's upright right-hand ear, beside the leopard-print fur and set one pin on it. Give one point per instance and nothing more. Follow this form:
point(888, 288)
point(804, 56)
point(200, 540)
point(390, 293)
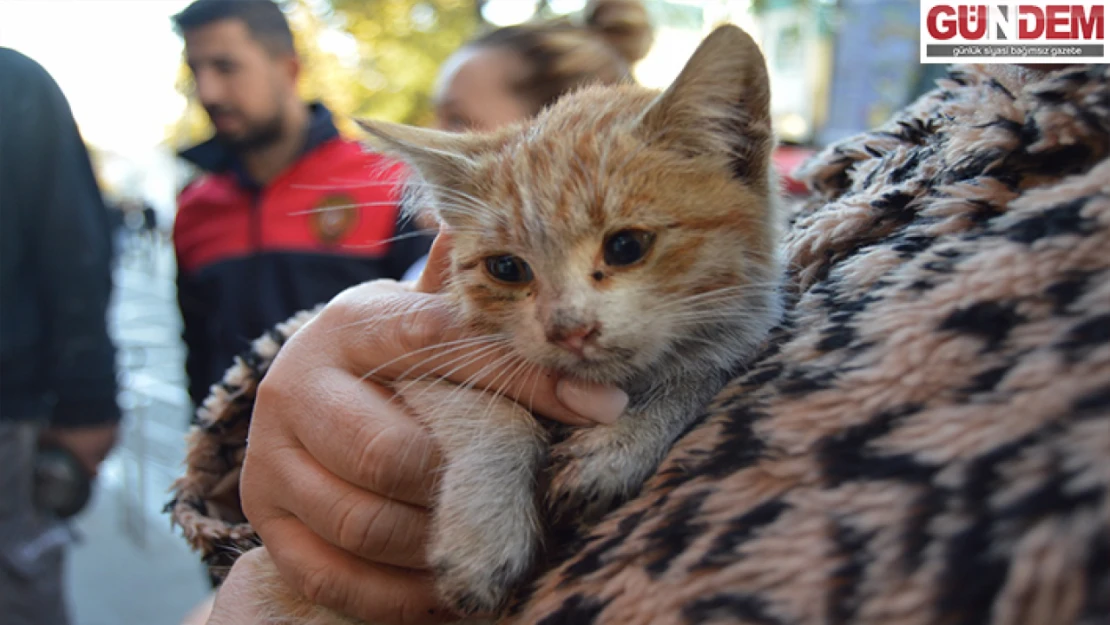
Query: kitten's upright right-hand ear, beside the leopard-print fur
point(719, 107)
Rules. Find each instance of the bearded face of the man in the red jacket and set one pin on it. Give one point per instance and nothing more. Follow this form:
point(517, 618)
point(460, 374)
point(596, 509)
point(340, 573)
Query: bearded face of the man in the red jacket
point(239, 83)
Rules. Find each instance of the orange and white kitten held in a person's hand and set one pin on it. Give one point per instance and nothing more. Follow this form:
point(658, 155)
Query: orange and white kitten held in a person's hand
point(623, 237)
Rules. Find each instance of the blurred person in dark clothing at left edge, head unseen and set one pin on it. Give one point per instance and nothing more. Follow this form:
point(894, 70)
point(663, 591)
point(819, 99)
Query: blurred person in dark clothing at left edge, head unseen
point(57, 362)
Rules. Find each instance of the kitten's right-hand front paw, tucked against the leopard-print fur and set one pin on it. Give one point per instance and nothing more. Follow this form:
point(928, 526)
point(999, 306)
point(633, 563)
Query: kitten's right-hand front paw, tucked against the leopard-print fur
point(593, 472)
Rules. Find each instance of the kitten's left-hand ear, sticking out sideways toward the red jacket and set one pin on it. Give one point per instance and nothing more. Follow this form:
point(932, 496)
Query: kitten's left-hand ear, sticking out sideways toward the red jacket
point(443, 164)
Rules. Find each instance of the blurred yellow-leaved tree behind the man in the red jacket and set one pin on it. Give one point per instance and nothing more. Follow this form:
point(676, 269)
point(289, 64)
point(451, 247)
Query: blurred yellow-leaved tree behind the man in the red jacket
point(362, 58)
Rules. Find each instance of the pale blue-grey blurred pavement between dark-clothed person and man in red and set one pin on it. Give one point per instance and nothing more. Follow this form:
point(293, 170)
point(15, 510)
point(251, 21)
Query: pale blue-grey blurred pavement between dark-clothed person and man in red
point(130, 568)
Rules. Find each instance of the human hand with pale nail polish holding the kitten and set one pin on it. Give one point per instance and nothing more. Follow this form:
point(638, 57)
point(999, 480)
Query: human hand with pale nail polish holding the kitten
point(338, 478)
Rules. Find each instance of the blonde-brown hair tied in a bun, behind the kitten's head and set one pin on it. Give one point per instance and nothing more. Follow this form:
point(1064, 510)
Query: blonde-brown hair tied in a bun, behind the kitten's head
point(601, 46)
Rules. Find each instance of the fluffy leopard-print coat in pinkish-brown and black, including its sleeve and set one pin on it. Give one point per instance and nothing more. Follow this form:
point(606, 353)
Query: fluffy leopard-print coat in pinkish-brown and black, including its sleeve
point(926, 438)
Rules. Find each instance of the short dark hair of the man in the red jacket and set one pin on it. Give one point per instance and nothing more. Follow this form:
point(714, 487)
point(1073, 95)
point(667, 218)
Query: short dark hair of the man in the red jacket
point(264, 19)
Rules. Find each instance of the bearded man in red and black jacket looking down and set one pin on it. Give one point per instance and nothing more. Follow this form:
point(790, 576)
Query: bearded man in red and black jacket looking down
point(287, 214)
